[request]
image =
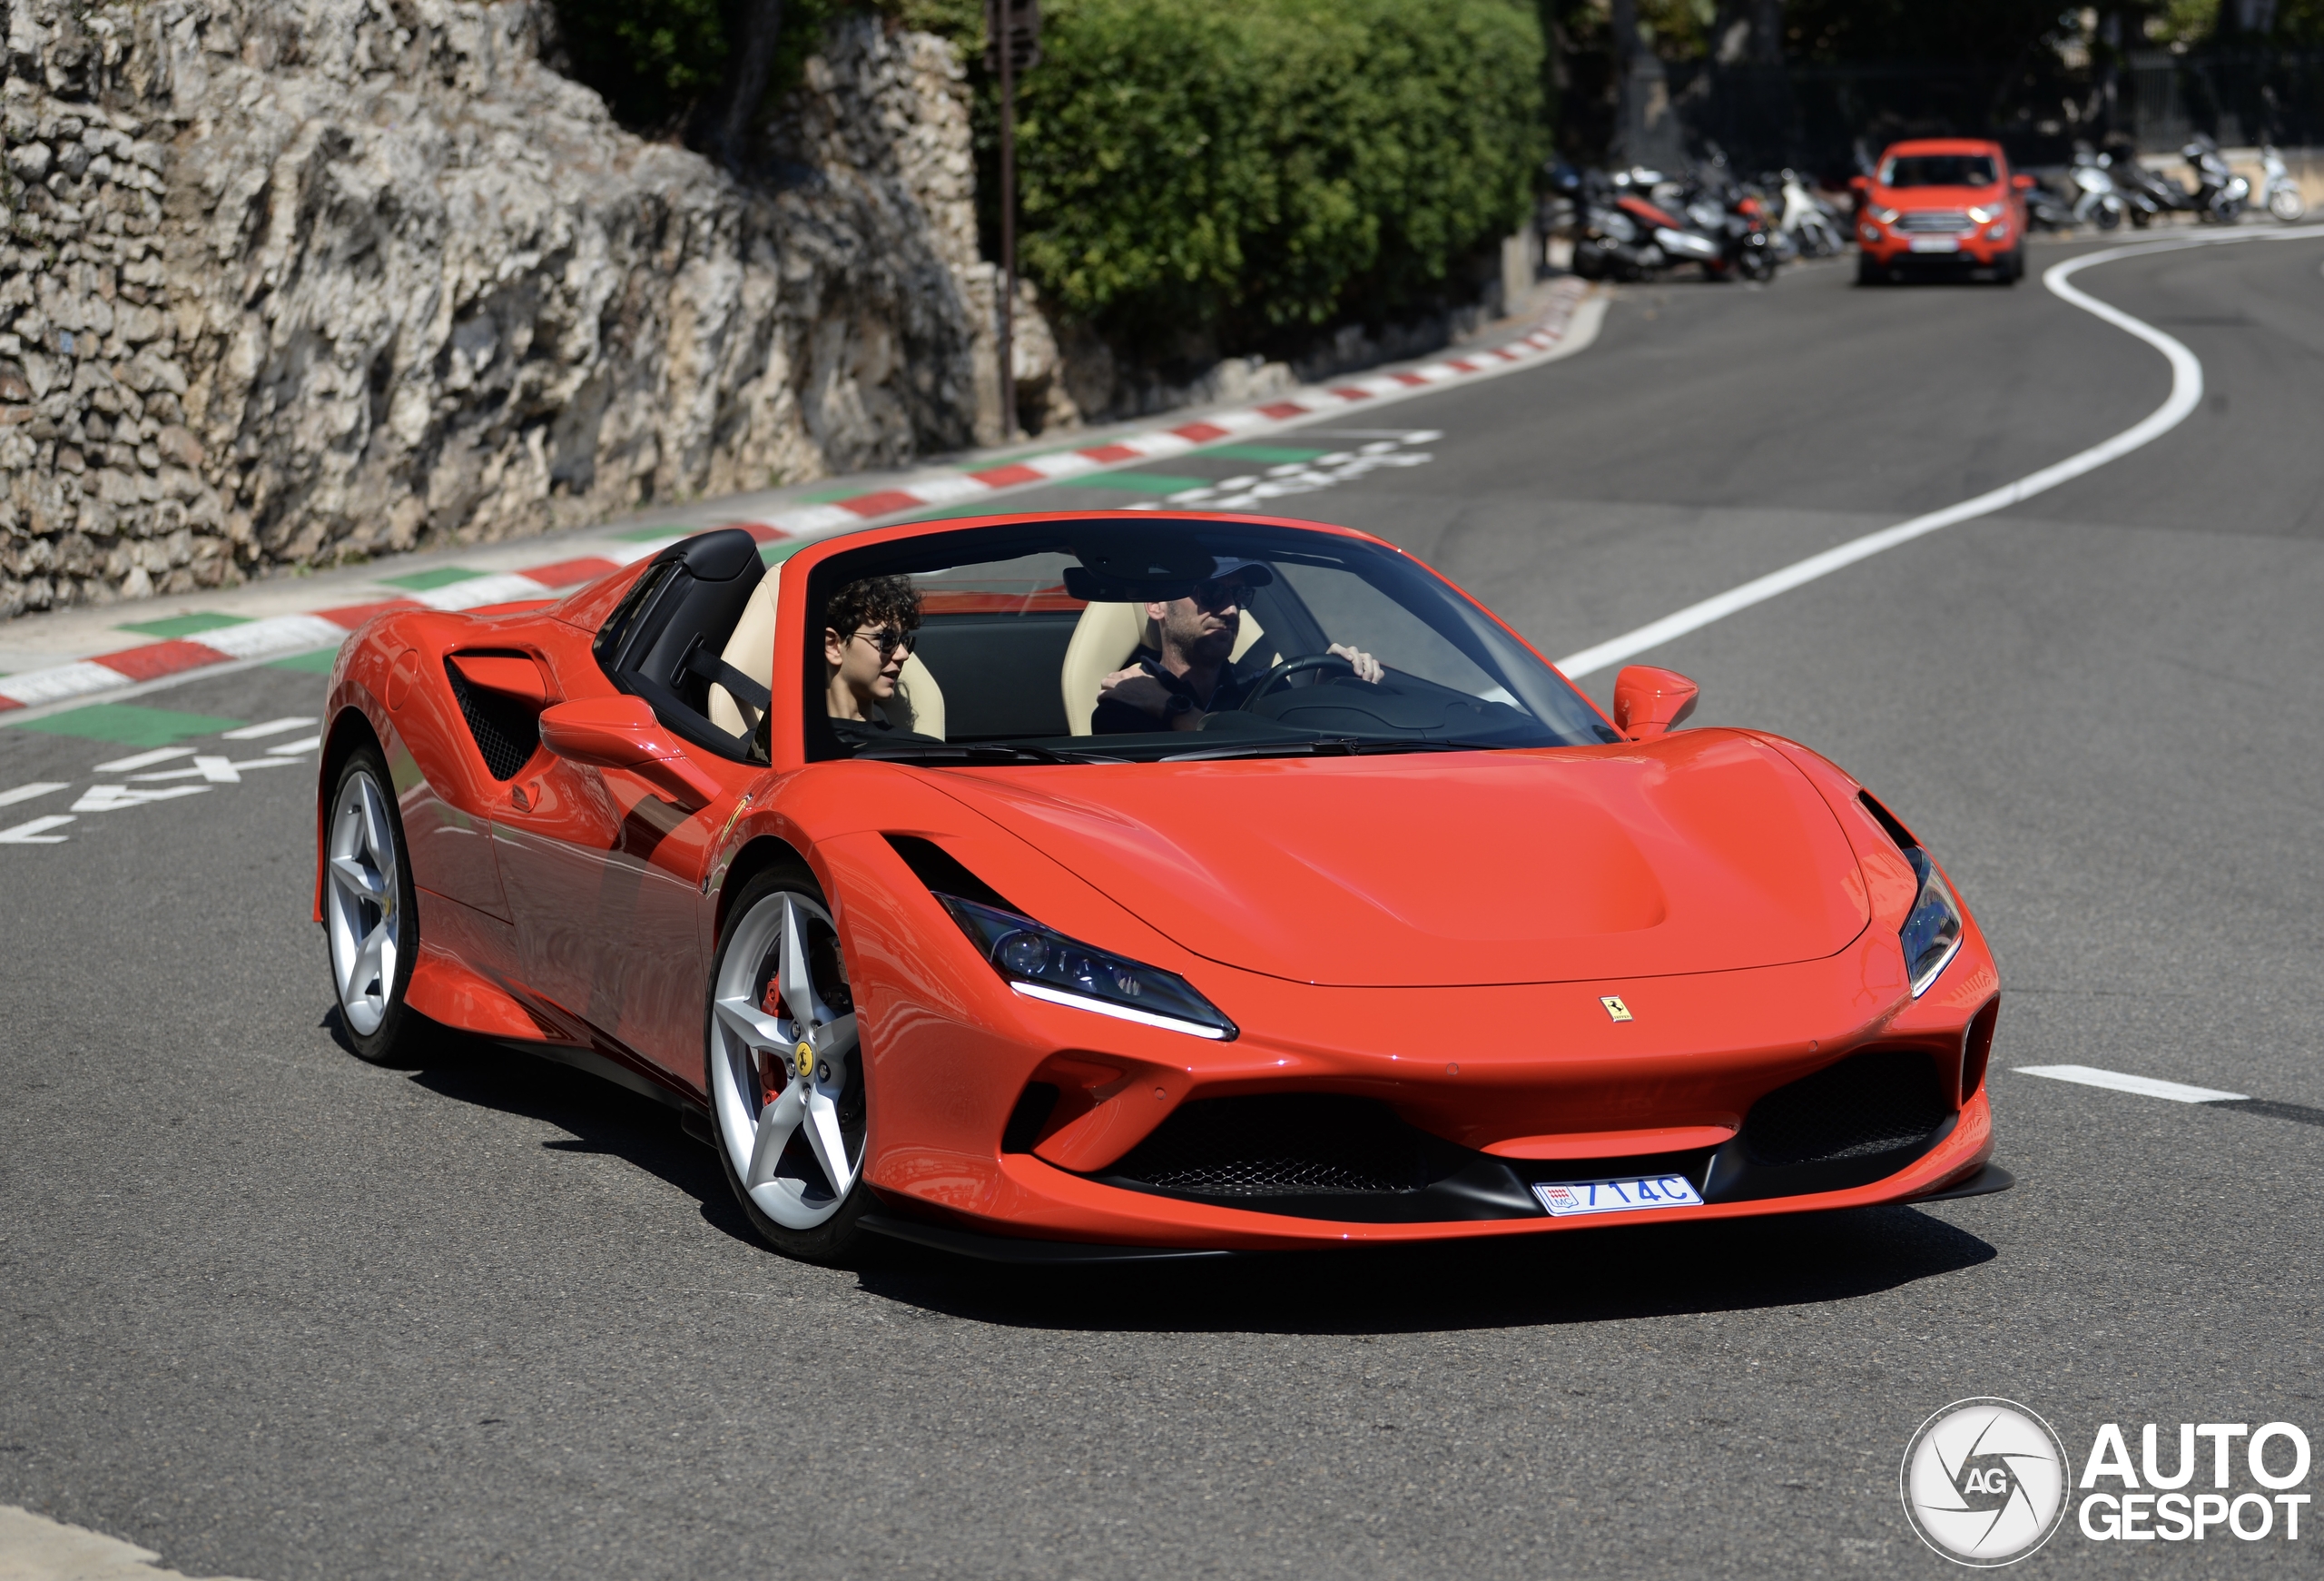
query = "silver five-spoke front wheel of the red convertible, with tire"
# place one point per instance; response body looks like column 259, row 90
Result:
column 789, row 1099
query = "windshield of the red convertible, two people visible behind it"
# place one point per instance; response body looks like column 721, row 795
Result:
column 1168, row 641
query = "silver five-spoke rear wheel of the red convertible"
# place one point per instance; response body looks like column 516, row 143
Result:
column 371, row 910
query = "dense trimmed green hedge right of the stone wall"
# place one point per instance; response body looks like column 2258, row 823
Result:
column 1261, row 166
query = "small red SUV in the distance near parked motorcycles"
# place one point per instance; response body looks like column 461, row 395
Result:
column 1942, row 201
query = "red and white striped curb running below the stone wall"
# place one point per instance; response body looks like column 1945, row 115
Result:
column 322, row 629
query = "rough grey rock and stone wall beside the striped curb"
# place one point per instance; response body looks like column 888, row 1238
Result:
column 292, row 282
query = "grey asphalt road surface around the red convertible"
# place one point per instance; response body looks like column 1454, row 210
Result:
column 280, row 1315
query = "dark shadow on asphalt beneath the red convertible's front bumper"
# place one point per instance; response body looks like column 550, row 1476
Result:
column 1600, row 1275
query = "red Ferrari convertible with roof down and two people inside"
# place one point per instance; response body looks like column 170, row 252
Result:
column 1142, row 885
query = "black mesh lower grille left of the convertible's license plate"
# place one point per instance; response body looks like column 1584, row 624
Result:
column 1279, row 1147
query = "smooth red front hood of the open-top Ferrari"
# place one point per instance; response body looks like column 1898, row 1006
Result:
column 1702, row 852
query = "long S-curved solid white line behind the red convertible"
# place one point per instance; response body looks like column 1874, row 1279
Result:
column 2186, row 394
